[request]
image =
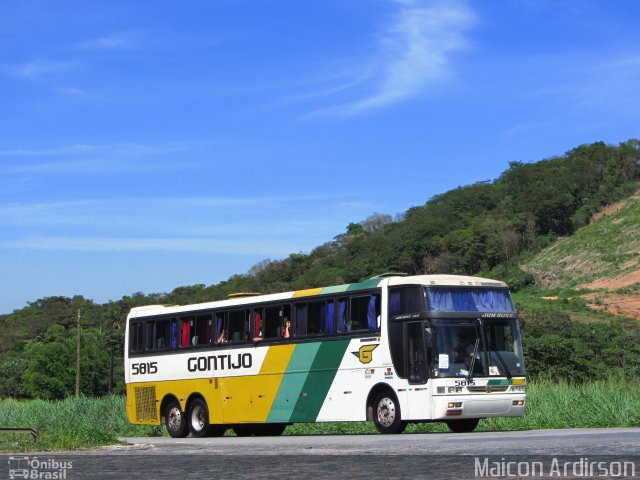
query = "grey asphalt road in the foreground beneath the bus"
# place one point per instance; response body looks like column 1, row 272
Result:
column 574, row 453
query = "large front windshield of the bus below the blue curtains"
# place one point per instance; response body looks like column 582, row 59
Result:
column 489, row 347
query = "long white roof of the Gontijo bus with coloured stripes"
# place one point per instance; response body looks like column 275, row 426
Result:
column 373, row 282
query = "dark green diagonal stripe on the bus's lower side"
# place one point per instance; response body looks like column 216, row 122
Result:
column 321, row 375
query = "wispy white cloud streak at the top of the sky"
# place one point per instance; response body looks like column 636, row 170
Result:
column 414, row 54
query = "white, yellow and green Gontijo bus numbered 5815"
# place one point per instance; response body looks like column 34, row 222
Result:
column 392, row 349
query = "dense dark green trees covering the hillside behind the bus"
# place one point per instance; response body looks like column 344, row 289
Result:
column 488, row 228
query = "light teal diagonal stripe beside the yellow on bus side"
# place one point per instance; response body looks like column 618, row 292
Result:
column 293, row 381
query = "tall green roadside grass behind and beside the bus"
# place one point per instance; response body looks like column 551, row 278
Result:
column 76, row 423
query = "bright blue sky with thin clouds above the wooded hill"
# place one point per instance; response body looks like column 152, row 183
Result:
column 148, row 145
